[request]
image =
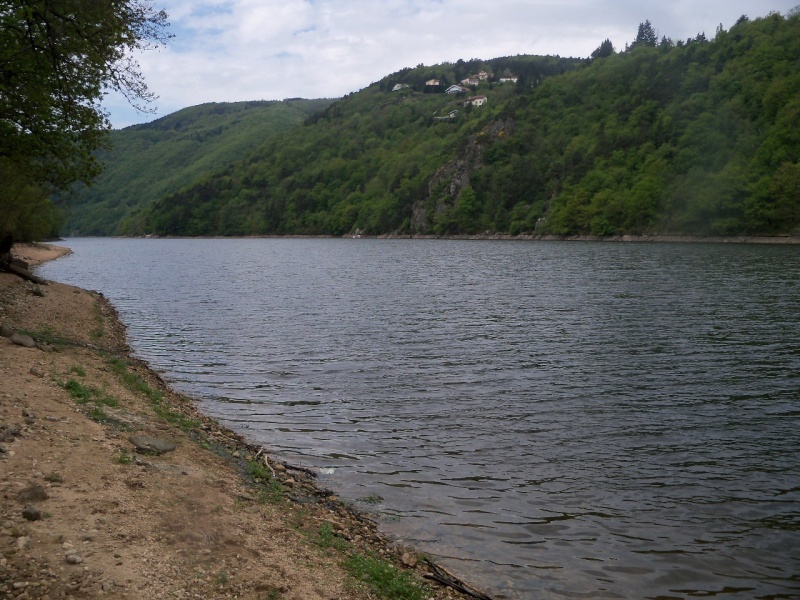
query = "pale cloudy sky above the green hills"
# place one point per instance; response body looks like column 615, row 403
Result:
column 231, row 50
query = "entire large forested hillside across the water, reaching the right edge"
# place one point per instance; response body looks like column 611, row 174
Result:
column 698, row 136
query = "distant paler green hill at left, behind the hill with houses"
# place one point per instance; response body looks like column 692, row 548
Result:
column 150, row 161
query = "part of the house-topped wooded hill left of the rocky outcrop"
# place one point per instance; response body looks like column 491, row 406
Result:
column 360, row 163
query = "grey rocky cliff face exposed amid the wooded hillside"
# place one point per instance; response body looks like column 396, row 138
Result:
column 453, row 176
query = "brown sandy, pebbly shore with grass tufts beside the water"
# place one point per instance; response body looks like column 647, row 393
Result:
column 91, row 510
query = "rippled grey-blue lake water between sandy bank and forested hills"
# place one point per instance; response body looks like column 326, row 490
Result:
column 553, row 419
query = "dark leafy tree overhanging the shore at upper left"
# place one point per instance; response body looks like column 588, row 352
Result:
column 57, row 59
